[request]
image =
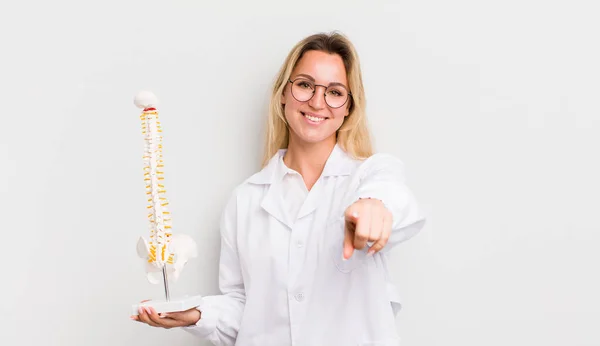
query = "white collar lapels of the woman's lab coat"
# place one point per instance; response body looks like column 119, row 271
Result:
column 338, row 163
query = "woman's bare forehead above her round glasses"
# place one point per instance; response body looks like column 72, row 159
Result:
column 325, row 68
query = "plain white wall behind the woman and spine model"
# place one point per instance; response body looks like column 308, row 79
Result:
column 492, row 105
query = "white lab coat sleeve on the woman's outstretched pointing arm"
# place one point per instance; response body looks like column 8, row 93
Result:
column 382, row 177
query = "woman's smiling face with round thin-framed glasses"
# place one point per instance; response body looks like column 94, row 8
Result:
column 315, row 120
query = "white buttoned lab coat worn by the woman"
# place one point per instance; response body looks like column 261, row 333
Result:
column 283, row 279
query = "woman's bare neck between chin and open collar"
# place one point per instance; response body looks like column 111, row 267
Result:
column 309, row 159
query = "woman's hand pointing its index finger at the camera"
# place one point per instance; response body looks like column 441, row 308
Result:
column 367, row 220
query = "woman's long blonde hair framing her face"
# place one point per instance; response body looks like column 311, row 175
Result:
column 353, row 136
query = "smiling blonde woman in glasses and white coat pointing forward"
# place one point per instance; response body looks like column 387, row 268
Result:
column 304, row 242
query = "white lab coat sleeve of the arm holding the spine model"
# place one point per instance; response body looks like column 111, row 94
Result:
column 221, row 314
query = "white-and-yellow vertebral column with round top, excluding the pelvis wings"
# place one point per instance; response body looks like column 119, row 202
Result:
column 158, row 213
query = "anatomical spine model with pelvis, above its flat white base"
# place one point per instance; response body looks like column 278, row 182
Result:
column 165, row 253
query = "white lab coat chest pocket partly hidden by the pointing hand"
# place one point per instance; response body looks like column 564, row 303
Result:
column 336, row 230
